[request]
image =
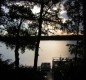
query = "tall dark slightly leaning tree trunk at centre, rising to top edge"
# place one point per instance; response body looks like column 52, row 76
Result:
column 38, row 38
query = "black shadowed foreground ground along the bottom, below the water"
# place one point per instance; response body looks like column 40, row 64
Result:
column 29, row 74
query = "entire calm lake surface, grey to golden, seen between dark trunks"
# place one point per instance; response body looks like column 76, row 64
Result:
column 48, row 50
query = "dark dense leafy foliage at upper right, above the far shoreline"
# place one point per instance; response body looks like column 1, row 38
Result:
column 75, row 14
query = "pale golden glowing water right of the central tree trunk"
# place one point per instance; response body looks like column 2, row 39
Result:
column 50, row 49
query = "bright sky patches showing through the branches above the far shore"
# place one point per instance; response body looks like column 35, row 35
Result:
column 36, row 9
